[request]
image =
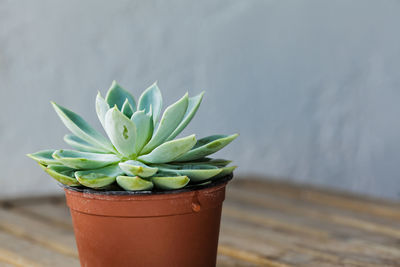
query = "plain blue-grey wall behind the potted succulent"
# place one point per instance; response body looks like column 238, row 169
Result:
column 313, row 87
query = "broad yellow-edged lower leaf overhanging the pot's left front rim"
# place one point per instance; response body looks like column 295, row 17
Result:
column 100, row 177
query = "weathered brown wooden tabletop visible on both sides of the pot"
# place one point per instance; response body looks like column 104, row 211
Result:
column 265, row 223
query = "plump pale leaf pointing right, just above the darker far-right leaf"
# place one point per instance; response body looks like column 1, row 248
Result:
column 170, row 150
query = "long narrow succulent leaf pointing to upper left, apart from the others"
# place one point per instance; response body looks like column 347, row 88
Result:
column 78, row 126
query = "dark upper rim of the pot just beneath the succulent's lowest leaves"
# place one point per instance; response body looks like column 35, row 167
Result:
column 153, row 192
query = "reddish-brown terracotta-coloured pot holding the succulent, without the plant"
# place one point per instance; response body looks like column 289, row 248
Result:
column 119, row 228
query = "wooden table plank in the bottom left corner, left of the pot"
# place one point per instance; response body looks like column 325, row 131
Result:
column 19, row 252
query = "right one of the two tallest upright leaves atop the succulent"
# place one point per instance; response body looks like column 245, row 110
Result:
column 151, row 100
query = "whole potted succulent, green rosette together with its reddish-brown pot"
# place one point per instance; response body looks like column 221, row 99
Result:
column 141, row 197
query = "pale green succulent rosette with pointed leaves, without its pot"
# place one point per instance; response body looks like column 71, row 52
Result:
column 141, row 152
